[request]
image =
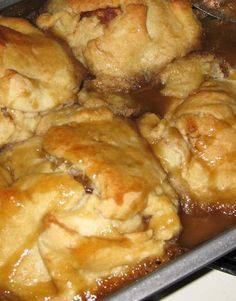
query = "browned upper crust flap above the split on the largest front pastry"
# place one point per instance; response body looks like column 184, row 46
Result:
column 95, row 147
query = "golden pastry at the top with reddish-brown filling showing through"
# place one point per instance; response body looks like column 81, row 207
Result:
column 124, row 44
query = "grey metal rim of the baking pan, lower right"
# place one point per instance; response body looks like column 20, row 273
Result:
column 150, row 286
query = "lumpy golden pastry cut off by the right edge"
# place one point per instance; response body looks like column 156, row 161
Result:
column 196, row 145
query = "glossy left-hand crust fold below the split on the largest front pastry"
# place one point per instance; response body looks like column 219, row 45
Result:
column 23, row 207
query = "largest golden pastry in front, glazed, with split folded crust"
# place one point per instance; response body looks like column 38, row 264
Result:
column 104, row 208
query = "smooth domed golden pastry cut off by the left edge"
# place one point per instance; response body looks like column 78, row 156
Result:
column 36, row 75
